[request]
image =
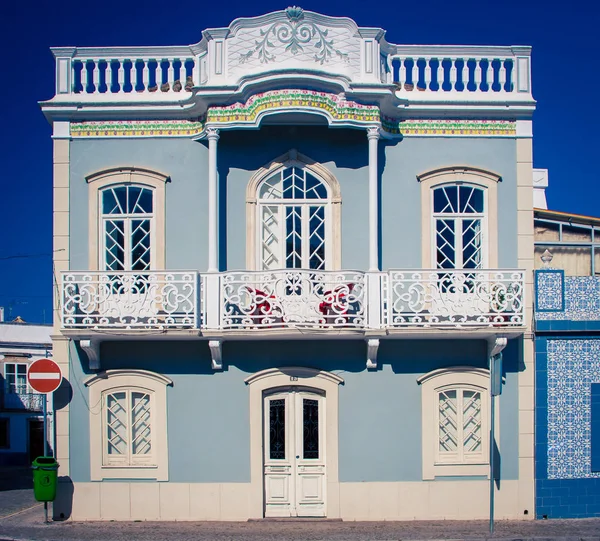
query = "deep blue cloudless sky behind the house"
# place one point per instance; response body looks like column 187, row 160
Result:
column 565, row 75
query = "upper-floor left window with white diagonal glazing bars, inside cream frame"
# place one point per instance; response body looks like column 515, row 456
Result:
column 127, row 224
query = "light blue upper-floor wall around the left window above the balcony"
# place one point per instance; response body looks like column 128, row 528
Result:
column 184, row 161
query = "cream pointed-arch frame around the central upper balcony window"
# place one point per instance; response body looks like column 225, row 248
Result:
column 293, row 159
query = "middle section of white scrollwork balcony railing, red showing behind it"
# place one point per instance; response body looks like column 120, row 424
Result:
column 293, row 298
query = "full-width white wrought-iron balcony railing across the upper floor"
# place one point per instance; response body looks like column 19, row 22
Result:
column 307, row 301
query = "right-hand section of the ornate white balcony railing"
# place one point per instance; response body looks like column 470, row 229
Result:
column 456, row 298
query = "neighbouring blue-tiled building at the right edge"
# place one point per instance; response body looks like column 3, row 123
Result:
column 567, row 327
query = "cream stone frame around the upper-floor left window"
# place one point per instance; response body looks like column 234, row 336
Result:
column 126, row 176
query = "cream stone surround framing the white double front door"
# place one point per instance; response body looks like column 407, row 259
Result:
column 273, row 378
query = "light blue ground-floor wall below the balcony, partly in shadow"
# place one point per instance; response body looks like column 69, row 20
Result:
column 379, row 412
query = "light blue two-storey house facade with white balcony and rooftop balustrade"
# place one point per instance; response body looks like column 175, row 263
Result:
column 287, row 254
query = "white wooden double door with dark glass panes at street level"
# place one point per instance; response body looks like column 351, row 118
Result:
column 294, row 458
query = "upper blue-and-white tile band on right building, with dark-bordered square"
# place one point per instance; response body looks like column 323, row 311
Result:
column 558, row 297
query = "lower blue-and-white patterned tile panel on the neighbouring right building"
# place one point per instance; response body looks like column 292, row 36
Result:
column 573, row 365
